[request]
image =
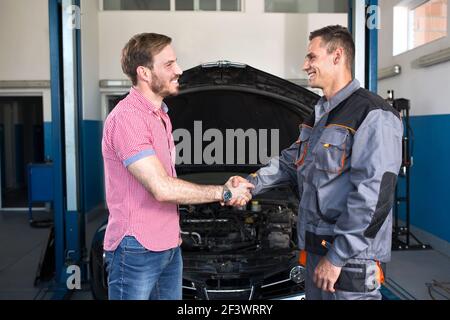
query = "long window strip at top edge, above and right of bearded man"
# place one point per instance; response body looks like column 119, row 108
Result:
column 180, row 5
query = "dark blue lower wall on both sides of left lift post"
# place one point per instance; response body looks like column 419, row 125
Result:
column 93, row 187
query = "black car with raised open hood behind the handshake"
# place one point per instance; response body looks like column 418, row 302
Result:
column 230, row 119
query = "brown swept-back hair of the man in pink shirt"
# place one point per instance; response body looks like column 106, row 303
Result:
column 140, row 50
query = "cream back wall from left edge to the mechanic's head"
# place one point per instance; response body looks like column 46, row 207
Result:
column 273, row 42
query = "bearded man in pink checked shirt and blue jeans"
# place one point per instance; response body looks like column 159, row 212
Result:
column 142, row 240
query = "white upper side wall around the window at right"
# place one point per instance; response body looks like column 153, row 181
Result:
column 427, row 88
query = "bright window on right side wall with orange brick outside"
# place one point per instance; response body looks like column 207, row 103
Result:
column 418, row 23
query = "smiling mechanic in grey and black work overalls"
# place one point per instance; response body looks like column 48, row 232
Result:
column 345, row 165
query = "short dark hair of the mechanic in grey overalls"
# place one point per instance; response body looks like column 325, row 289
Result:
column 334, row 37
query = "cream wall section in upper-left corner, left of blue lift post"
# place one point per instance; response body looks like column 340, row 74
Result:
column 24, row 38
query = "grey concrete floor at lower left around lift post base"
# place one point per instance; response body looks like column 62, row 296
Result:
column 21, row 248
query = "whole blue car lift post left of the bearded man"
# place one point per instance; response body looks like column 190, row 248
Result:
column 65, row 67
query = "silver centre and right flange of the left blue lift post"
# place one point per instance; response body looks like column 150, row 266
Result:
column 75, row 243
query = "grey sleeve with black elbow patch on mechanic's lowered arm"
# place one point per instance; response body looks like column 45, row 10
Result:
column 375, row 163
